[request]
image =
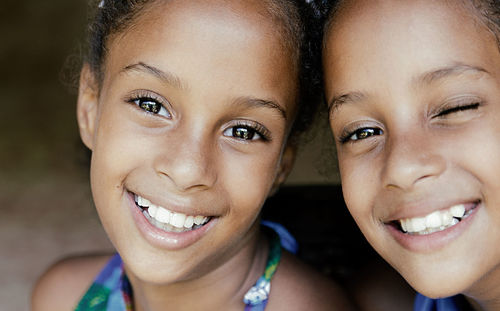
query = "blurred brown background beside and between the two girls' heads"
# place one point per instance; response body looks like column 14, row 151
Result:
column 46, row 205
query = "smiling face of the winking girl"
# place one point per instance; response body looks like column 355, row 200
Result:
column 414, row 89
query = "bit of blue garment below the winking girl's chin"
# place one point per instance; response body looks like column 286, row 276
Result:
column 454, row 303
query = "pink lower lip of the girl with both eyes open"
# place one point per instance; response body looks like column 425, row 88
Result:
column 163, row 239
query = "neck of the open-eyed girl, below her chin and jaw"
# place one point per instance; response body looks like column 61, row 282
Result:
column 221, row 289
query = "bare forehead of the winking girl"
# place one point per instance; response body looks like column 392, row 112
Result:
column 406, row 38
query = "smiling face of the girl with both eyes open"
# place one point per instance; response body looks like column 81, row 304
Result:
column 190, row 125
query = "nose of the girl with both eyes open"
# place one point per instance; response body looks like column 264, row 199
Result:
column 188, row 163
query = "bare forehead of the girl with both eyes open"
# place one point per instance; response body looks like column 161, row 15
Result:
column 205, row 45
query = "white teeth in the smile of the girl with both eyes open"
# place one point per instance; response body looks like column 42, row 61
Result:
column 167, row 220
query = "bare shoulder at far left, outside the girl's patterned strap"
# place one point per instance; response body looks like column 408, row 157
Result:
column 65, row 282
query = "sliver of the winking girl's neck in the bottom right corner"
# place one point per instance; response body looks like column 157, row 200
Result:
column 485, row 294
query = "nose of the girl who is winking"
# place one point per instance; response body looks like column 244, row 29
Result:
column 411, row 159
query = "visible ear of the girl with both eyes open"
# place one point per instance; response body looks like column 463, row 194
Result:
column 87, row 104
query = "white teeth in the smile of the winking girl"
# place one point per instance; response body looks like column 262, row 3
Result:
column 436, row 221
